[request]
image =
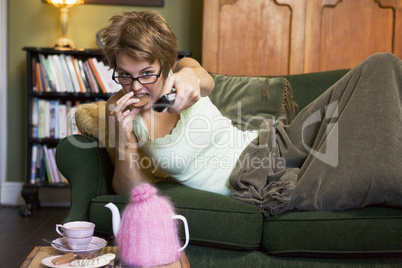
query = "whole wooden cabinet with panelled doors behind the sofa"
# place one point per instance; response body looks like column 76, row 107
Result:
column 277, row 37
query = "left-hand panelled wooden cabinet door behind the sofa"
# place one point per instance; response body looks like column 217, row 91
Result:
column 246, row 37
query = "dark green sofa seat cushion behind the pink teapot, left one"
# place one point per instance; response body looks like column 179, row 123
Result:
column 213, row 219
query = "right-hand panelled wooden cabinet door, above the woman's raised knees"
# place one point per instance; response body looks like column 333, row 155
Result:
column 342, row 33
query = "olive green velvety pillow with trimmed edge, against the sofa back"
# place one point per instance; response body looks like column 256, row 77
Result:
column 248, row 100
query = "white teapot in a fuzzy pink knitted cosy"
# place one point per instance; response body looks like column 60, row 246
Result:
column 147, row 233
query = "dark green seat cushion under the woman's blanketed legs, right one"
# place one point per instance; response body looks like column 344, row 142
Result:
column 368, row 230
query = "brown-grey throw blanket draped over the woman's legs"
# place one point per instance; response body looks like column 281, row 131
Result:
column 343, row 151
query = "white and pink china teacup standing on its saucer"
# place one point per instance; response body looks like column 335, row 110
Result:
column 78, row 234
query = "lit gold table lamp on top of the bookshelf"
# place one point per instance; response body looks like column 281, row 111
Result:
column 64, row 43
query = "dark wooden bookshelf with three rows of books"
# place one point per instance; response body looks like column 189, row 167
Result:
column 56, row 81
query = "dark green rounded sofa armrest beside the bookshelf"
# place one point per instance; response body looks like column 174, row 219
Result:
column 88, row 169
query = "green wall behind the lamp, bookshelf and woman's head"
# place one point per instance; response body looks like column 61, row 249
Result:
column 34, row 23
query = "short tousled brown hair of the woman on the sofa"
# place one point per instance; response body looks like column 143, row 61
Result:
column 144, row 36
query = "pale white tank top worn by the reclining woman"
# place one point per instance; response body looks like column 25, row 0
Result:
column 202, row 149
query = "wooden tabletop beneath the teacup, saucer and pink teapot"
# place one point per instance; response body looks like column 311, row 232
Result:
column 34, row 260
